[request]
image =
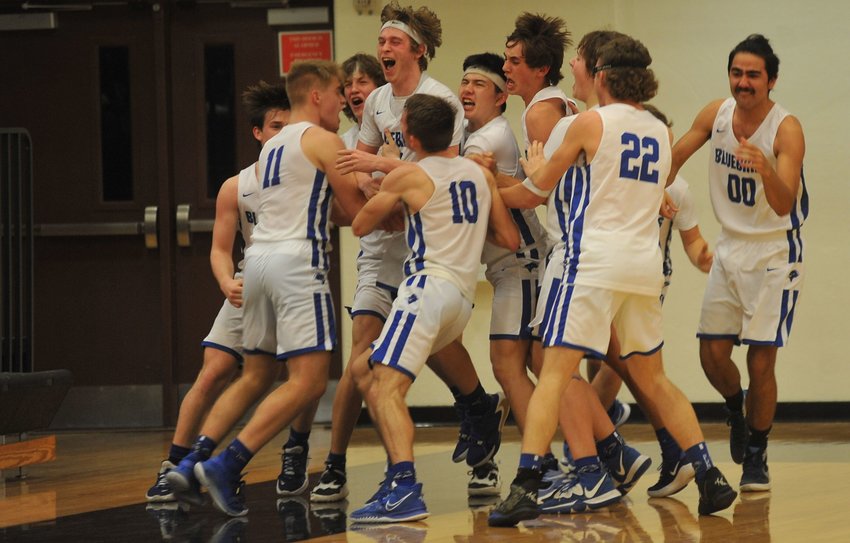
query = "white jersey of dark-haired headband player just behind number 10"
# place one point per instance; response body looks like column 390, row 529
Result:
column 497, row 137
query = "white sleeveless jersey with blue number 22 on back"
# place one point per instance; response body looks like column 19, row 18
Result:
column 612, row 240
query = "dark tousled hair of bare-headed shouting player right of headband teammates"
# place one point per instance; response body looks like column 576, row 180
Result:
column 543, row 40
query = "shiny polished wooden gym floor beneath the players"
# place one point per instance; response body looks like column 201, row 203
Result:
column 94, row 492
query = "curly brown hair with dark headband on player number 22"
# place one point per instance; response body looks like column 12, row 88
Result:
column 625, row 60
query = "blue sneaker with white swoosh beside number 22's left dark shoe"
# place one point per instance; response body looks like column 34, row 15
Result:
column 592, row 488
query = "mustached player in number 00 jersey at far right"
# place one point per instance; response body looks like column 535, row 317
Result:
column 759, row 196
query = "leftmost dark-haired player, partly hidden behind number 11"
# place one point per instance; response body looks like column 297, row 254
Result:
column 236, row 211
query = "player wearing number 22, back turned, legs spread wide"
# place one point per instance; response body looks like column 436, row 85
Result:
column 628, row 154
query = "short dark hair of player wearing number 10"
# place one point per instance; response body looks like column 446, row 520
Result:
column 431, row 120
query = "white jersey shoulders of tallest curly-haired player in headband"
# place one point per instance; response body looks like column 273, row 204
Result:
column 383, row 111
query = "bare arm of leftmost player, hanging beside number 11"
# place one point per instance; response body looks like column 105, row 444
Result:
column 224, row 232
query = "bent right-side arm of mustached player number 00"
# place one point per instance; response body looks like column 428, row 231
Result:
column 782, row 183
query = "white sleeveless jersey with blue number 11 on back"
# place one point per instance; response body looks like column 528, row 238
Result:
column 294, row 196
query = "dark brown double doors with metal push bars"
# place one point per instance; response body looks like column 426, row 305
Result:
column 131, row 107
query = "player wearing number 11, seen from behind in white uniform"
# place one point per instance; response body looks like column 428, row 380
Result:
column 289, row 313
